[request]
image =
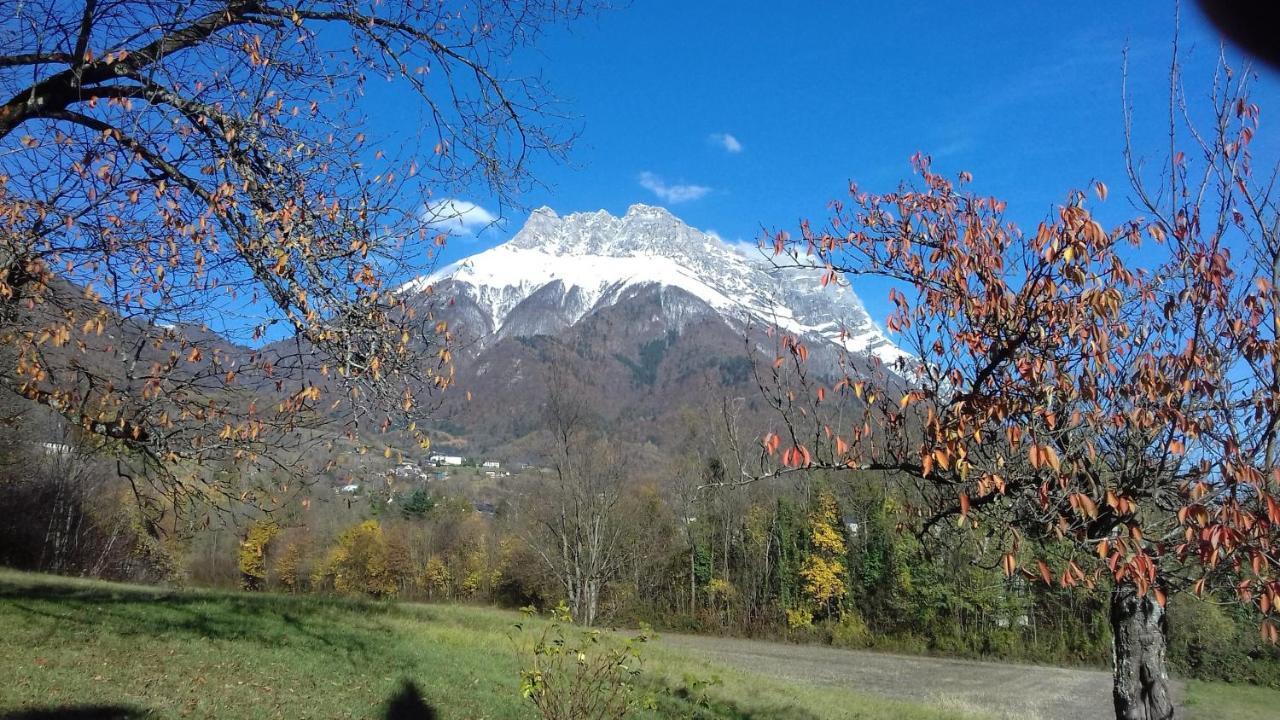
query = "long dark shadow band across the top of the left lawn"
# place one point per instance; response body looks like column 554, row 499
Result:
column 312, row 623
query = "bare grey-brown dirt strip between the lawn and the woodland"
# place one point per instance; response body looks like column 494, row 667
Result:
column 1005, row 692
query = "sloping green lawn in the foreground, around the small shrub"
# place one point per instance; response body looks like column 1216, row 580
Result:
column 194, row 654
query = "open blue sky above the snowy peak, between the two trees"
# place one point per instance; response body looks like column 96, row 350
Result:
column 1023, row 95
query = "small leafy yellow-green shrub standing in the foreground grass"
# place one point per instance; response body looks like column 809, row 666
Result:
column 573, row 675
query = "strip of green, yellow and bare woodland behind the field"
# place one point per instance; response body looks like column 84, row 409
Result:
column 822, row 558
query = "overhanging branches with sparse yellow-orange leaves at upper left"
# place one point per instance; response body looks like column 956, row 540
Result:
column 172, row 166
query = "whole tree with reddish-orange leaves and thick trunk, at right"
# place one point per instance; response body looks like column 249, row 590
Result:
column 1110, row 391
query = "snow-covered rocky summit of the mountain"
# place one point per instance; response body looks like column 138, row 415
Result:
column 583, row 262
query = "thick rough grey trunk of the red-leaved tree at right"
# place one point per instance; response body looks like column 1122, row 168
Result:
column 1140, row 677
